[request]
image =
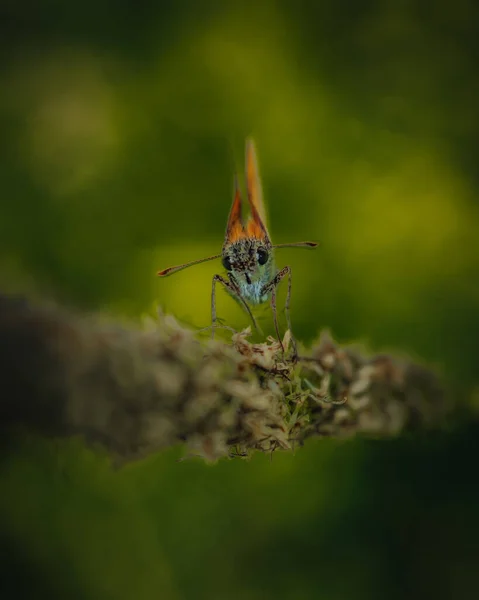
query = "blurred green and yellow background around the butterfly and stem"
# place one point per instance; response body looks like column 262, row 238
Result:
column 122, row 125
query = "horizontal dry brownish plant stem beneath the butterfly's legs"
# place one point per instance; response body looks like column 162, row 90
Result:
column 136, row 391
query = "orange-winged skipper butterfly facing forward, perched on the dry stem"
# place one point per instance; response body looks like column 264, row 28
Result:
column 248, row 254
